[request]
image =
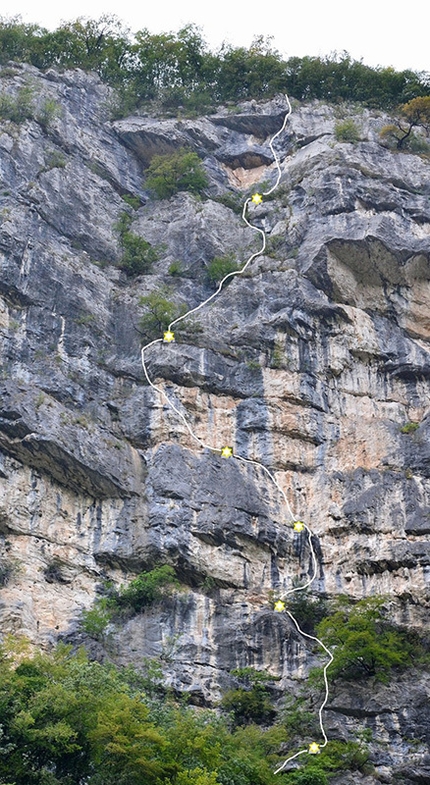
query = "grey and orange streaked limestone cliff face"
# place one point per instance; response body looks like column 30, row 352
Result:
column 311, row 364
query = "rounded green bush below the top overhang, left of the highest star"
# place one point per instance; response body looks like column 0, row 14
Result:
column 180, row 171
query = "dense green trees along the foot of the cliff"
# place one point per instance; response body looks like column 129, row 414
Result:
column 68, row 721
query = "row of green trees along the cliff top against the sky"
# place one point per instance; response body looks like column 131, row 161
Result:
column 179, row 70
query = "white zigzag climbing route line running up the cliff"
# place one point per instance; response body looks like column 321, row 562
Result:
column 227, row 452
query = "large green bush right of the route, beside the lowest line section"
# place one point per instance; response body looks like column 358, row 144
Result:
column 365, row 643
